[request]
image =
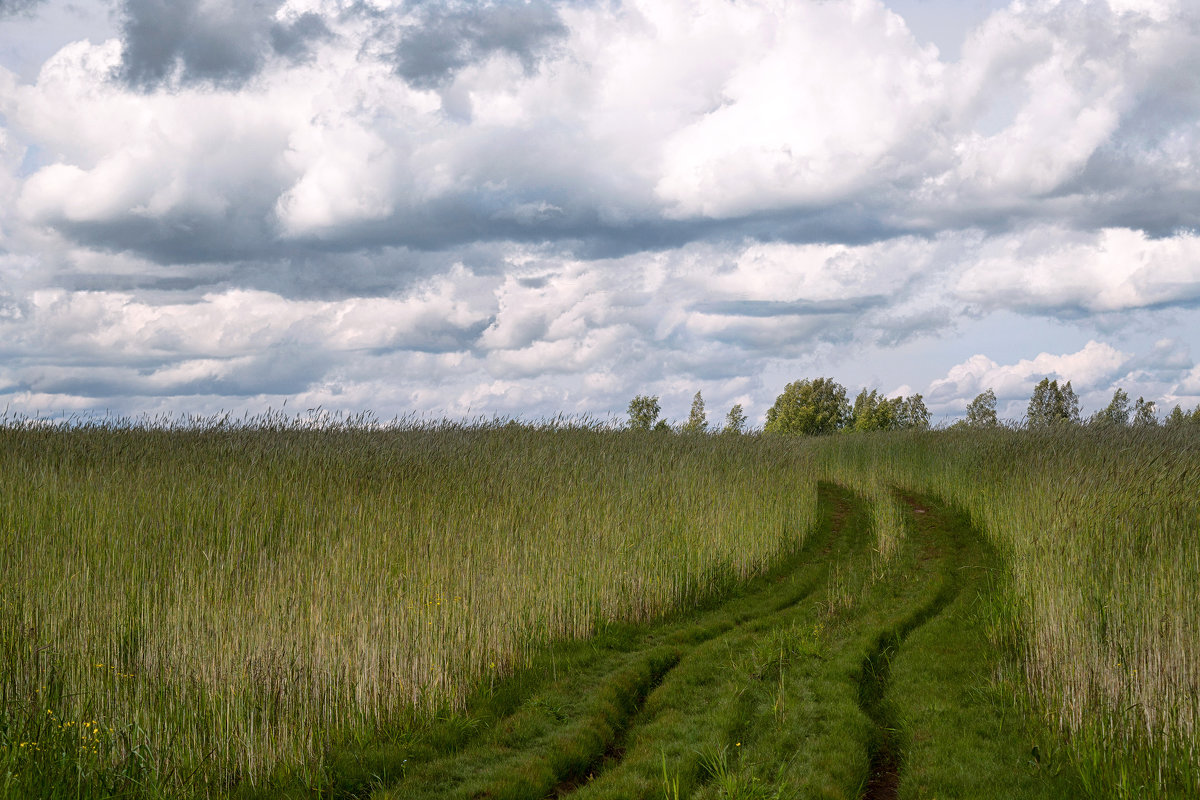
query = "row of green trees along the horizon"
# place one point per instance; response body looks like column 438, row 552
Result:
column 820, row 406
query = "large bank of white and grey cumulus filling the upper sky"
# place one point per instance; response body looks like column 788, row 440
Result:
column 609, row 129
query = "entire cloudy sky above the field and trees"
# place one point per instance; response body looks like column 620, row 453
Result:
column 530, row 208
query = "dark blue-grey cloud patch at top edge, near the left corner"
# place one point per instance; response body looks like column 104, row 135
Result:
column 195, row 44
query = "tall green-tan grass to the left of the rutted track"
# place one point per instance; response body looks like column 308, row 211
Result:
column 226, row 598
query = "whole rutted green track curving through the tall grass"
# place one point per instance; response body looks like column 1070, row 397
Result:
column 832, row 677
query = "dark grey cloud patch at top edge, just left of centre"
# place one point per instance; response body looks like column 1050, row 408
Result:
column 451, row 37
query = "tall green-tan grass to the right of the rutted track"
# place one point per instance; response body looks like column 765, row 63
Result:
column 1101, row 531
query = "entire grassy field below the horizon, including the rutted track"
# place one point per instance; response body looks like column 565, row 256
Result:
column 301, row 609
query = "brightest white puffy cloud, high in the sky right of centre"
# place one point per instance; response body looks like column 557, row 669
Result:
column 777, row 133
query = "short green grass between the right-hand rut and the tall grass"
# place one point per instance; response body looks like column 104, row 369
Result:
column 961, row 731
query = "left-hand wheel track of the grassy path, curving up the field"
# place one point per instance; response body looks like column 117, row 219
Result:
column 587, row 747
